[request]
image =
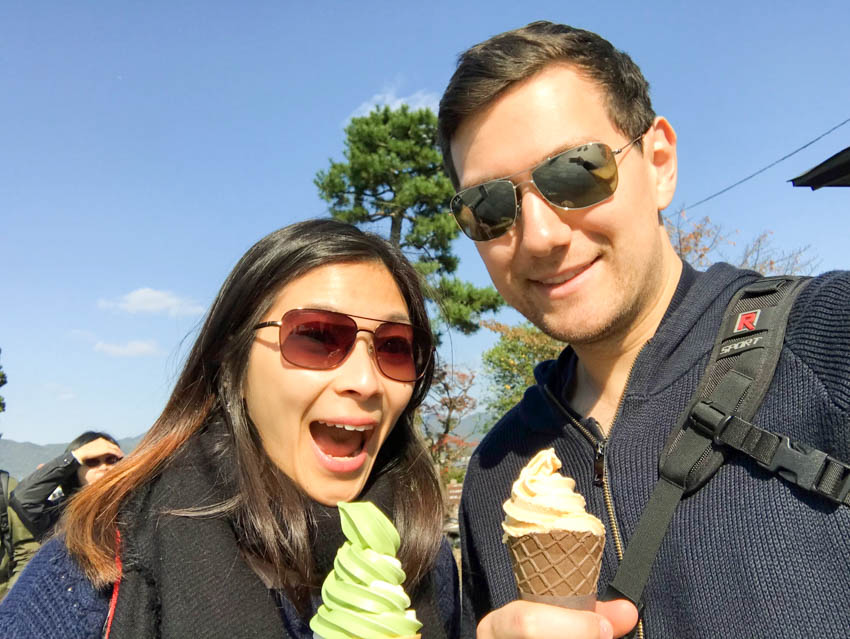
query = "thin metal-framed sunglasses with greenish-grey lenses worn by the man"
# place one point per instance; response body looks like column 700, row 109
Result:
column 573, row 179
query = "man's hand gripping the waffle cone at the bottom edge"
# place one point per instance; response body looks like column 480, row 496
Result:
column 521, row 619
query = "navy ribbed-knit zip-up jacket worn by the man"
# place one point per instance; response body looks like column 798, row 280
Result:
column 748, row 555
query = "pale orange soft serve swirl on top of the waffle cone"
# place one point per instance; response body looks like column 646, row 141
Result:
column 542, row 500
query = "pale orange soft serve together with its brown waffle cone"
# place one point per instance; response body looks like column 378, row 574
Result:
column 555, row 544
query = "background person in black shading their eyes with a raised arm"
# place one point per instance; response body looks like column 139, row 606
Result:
column 40, row 497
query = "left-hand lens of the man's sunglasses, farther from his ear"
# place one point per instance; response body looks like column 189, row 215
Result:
column 486, row 211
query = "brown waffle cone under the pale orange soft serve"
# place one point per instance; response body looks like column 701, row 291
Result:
column 561, row 563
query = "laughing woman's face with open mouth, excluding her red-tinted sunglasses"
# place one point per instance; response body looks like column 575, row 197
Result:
column 324, row 428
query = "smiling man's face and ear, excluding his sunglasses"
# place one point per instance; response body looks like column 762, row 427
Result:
column 579, row 275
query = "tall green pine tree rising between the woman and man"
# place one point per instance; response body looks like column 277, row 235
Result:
column 392, row 173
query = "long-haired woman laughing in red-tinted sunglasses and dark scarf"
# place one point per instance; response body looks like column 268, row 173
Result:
column 299, row 393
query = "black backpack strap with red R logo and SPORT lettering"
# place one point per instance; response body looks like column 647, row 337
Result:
column 733, row 387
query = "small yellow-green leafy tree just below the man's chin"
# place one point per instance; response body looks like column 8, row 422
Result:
column 510, row 363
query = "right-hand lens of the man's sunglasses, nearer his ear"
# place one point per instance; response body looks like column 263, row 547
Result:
column 579, row 177
